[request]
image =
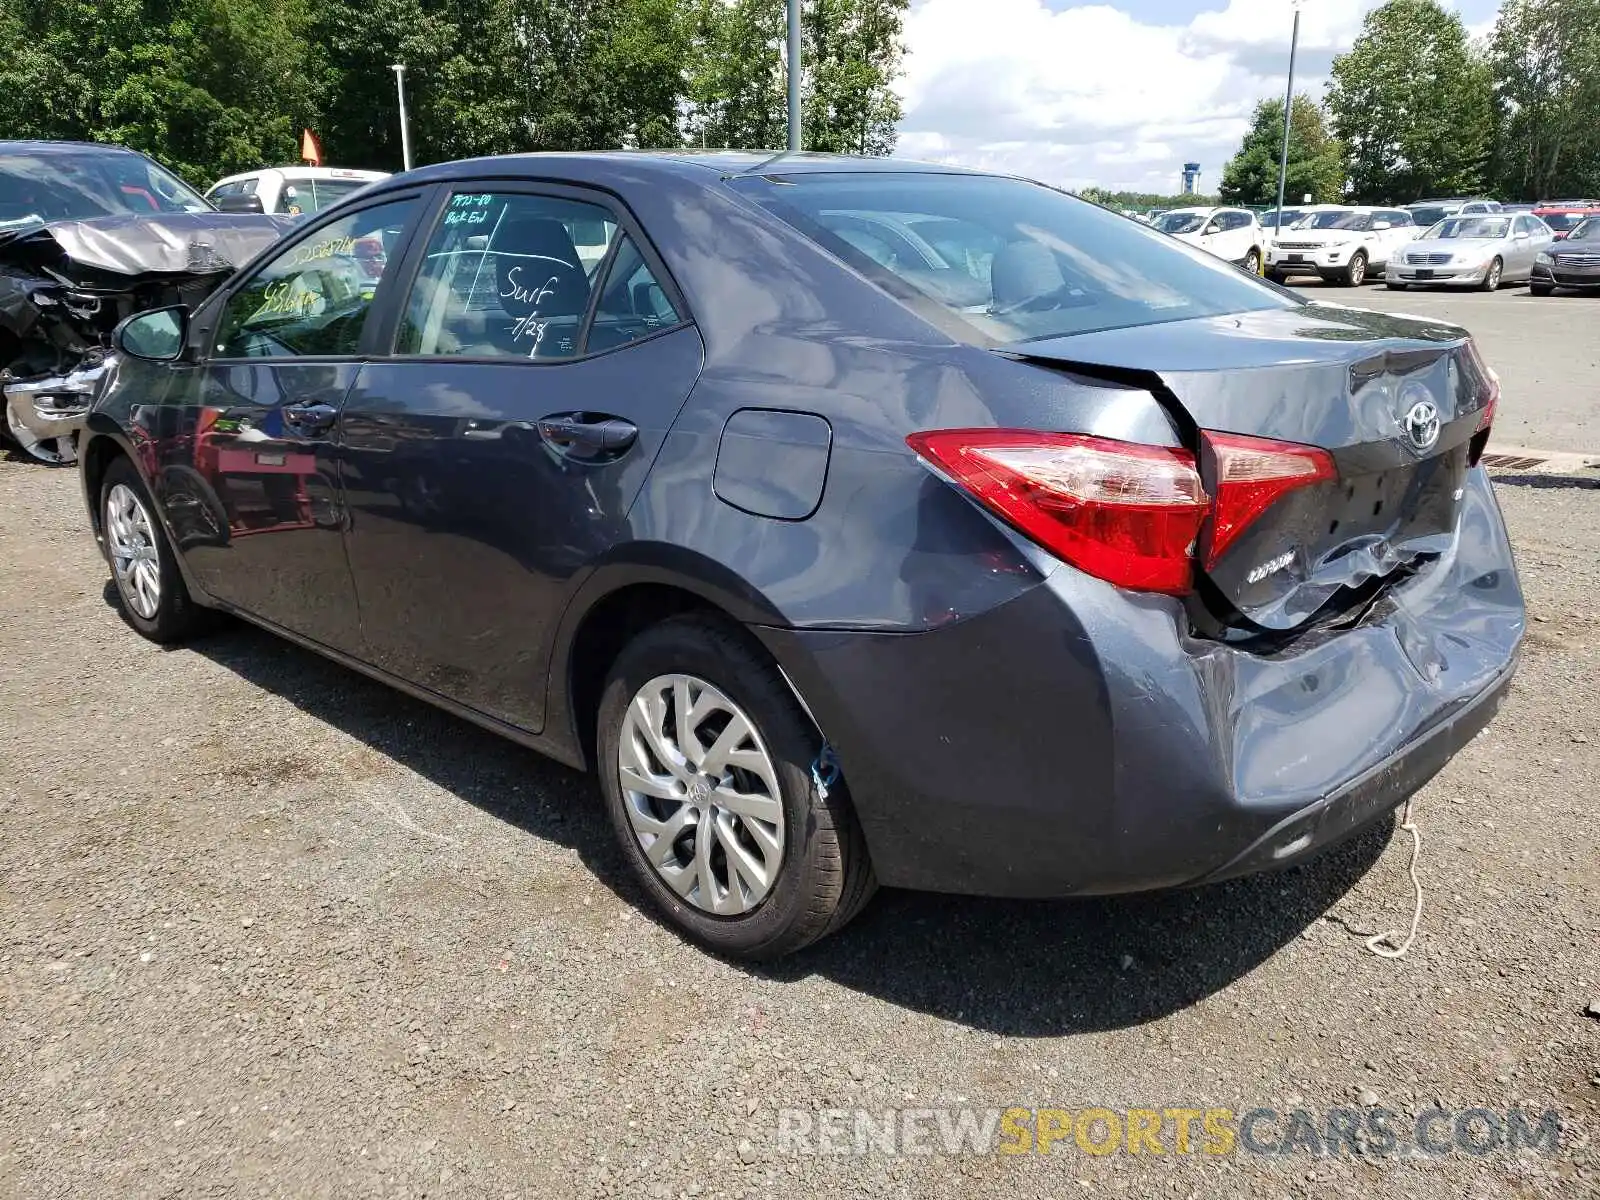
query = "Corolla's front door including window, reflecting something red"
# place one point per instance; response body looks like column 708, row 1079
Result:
column 254, row 492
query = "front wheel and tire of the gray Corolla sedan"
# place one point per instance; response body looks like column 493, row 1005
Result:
column 145, row 569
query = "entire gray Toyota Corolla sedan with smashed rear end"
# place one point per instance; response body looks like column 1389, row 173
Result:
column 858, row 522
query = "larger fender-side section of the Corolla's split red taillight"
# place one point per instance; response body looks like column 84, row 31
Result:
column 1121, row 511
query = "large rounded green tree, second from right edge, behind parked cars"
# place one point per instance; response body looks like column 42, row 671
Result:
column 1412, row 105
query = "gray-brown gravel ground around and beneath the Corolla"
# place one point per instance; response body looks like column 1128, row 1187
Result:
column 268, row 929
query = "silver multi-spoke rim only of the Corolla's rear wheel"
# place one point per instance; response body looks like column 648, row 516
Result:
column 702, row 794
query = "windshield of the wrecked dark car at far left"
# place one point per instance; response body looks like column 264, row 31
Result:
column 57, row 186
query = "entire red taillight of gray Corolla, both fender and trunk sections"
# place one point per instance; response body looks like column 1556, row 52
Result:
column 1121, row 511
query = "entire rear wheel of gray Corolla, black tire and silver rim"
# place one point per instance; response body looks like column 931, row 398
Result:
column 706, row 767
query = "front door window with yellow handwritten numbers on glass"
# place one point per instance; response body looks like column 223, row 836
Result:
column 313, row 298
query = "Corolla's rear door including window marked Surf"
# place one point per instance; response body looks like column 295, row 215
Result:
column 538, row 361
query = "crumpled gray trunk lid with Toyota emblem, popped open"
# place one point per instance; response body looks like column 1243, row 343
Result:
column 1394, row 401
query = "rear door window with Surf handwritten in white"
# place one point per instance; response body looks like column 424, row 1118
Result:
column 506, row 276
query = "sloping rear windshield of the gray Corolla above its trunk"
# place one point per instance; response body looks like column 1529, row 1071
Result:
column 1010, row 258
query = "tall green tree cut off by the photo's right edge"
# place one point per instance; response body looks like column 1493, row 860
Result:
column 1546, row 63
